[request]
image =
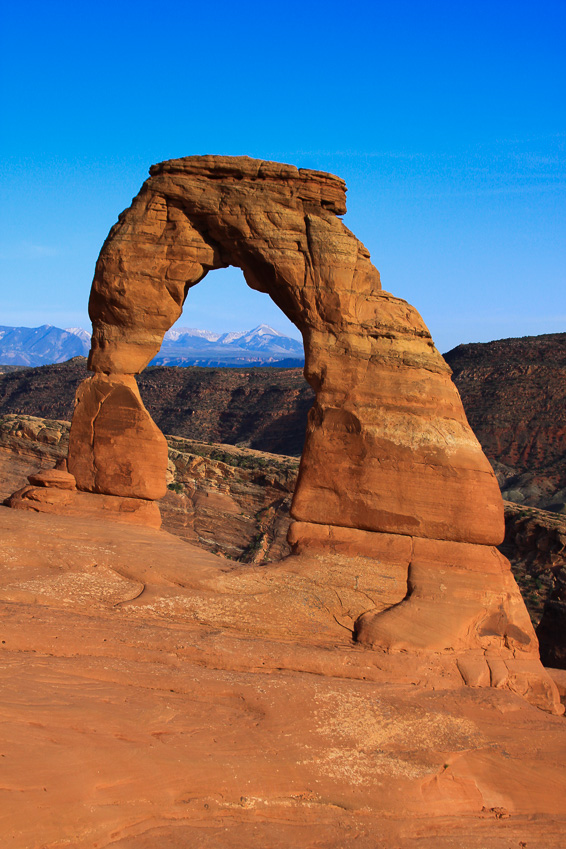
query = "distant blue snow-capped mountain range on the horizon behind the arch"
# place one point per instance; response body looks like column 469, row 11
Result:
column 183, row 346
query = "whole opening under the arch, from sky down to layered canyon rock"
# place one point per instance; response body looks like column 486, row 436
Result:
column 235, row 423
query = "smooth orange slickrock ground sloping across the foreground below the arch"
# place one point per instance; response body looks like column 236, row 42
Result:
column 154, row 695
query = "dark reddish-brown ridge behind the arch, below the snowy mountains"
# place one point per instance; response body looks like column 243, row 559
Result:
column 513, row 392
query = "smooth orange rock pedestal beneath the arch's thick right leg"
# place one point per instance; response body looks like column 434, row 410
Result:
column 461, row 605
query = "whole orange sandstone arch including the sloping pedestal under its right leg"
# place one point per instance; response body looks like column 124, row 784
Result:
column 391, row 470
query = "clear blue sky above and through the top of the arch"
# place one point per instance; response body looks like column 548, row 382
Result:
column 446, row 119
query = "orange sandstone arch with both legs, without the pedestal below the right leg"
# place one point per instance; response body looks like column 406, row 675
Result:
column 388, row 447
